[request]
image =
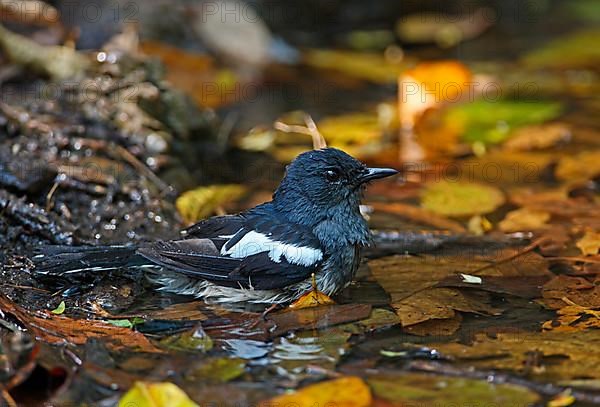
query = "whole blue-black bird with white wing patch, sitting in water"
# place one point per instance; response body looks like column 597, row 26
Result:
column 267, row 254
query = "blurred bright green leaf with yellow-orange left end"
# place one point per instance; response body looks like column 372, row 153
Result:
column 492, row 121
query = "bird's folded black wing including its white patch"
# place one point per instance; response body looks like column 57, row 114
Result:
column 264, row 254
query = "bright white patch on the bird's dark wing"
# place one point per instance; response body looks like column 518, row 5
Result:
column 254, row 243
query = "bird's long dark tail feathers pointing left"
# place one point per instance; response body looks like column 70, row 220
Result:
column 56, row 261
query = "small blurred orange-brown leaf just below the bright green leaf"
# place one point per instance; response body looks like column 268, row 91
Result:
column 538, row 137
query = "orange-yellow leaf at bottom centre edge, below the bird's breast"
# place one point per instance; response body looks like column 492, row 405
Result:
column 347, row 391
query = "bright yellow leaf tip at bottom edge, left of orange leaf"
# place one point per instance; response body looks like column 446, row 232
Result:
column 156, row 395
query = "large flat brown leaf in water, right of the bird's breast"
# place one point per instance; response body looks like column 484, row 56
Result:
column 411, row 282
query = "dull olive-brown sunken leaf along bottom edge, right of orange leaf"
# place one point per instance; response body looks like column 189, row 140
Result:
column 428, row 391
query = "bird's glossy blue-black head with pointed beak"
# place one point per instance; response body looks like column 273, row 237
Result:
column 319, row 180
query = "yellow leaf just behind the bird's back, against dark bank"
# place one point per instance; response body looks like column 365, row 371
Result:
column 204, row 201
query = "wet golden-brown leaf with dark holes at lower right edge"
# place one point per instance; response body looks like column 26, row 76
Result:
column 560, row 355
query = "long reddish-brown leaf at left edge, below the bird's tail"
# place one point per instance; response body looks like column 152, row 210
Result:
column 59, row 329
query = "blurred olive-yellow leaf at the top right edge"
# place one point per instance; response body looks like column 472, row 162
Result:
column 572, row 51
